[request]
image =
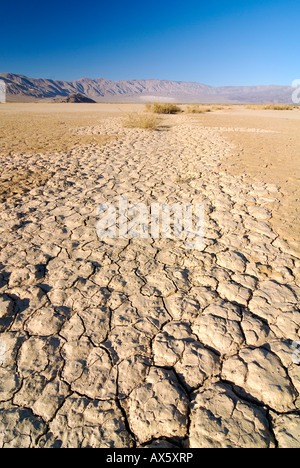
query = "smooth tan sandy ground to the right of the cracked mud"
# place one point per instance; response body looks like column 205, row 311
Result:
column 267, row 149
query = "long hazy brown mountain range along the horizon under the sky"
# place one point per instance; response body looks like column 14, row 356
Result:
column 21, row 88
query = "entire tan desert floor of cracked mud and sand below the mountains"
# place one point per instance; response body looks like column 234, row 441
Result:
column 131, row 342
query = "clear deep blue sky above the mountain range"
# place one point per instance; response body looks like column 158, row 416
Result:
column 216, row 42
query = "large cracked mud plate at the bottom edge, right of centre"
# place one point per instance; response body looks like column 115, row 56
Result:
column 219, row 419
